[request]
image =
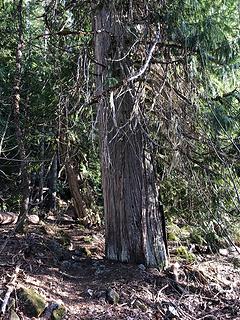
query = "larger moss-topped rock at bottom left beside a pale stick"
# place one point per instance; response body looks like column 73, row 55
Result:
column 31, row 302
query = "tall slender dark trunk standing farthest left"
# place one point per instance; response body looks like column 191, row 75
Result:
column 19, row 134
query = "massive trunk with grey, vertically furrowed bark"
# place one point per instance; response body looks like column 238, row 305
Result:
column 133, row 219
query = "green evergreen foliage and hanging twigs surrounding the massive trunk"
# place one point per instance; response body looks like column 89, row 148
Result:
column 192, row 110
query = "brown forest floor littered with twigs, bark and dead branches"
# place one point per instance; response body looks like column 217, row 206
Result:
column 65, row 263
